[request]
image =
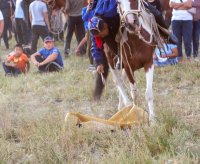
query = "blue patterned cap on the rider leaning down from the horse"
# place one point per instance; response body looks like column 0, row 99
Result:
column 95, row 25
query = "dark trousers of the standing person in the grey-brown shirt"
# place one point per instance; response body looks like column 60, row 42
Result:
column 74, row 24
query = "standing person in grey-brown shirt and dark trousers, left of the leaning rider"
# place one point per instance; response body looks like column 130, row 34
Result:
column 73, row 8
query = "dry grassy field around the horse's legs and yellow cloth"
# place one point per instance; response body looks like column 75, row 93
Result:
column 33, row 108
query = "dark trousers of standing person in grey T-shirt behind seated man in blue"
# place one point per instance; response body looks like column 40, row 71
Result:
column 38, row 31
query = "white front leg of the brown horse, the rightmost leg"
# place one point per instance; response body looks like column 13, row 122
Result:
column 149, row 92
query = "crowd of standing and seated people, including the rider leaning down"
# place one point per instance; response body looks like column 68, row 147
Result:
column 97, row 23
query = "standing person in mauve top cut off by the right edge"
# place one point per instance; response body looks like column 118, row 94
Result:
column 196, row 29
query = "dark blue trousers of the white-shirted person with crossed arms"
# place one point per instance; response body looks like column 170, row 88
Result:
column 183, row 29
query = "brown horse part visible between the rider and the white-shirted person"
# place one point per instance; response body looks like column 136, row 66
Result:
column 167, row 11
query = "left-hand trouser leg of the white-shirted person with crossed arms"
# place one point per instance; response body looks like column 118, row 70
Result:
column 177, row 30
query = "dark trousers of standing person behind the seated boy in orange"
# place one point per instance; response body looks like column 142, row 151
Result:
column 21, row 31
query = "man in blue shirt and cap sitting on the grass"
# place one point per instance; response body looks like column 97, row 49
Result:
column 49, row 58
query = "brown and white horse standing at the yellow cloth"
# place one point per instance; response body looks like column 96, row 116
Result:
column 135, row 52
